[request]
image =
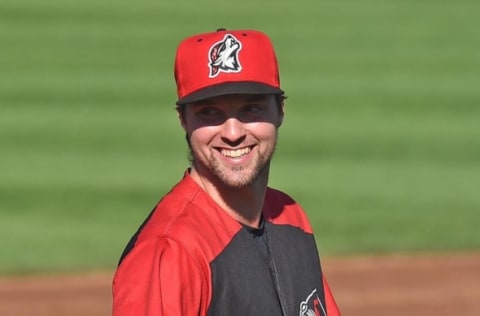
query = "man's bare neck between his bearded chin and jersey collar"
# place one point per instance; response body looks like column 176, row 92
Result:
column 243, row 204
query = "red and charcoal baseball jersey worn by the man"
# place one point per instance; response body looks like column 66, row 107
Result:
column 190, row 257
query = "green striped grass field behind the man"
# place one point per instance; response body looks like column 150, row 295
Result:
column 381, row 143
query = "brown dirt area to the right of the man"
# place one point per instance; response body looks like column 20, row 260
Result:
column 407, row 285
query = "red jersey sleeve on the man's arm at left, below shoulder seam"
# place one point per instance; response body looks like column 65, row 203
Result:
column 159, row 278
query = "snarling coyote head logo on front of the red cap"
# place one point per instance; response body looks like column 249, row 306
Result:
column 223, row 56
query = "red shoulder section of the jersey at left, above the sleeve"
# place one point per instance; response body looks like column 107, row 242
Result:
column 187, row 217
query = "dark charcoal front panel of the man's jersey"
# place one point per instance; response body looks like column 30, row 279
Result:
column 245, row 282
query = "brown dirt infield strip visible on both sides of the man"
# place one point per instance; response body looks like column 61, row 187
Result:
column 381, row 285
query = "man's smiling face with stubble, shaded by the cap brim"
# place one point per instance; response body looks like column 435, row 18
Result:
column 232, row 138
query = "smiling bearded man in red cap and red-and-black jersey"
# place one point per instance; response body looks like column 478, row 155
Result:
column 222, row 242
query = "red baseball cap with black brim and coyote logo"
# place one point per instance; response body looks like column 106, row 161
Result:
column 225, row 62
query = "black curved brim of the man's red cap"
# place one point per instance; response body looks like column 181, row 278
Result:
column 229, row 88
